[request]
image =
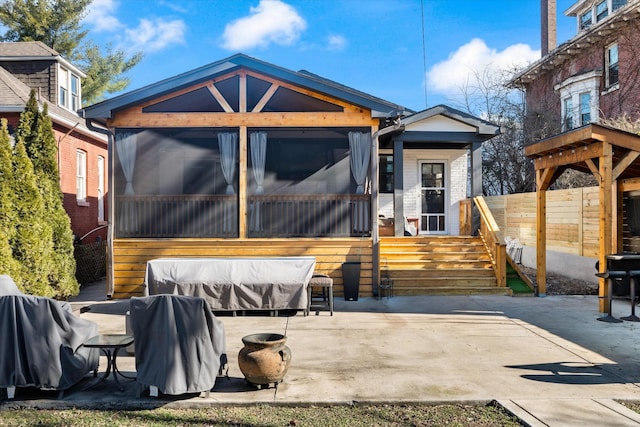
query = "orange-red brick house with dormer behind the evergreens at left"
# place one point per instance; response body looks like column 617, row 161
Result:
column 82, row 153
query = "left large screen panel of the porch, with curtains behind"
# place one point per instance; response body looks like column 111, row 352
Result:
column 185, row 182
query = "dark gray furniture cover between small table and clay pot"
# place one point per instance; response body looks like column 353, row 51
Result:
column 180, row 344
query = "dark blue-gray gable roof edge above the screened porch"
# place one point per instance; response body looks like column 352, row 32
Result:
column 379, row 107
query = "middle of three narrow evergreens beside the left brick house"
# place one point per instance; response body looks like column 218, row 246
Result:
column 32, row 244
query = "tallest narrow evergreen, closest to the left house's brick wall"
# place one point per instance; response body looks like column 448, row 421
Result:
column 36, row 132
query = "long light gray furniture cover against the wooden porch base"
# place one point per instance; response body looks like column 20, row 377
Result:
column 274, row 283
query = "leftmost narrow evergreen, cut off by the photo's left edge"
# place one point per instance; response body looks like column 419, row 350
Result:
column 8, row 265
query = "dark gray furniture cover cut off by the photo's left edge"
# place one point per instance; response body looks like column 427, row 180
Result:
column 41, row 341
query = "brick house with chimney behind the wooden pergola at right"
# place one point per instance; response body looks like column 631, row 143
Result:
column 594, row 75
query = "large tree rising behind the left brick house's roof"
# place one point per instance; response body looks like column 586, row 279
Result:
column 57, row 23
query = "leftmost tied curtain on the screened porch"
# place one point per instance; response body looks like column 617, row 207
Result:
column 126, row 144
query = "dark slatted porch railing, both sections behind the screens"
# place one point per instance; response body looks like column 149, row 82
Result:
column 332, row 215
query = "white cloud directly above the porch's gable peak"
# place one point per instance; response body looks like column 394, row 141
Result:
column 272, row 21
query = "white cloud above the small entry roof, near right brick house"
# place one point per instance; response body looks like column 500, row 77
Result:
column 476, row 57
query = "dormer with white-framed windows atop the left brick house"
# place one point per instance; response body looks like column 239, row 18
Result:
column 43, row 69
